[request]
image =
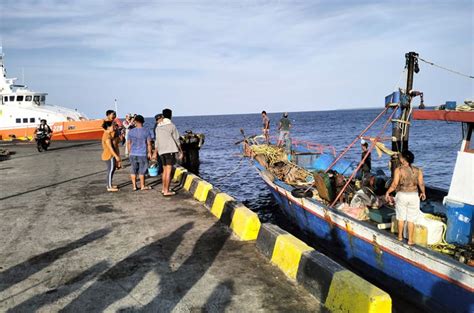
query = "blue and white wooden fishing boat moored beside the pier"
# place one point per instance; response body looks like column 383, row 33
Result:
column 428, row 278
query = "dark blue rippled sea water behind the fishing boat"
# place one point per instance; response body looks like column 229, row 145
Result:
column 434, row 143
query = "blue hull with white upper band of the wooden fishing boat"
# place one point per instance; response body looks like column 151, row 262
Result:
column 424, row 277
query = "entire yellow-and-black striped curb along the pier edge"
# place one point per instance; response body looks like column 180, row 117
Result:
column 338, row 288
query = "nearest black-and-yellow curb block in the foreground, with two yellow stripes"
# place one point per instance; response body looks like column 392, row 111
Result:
column 338, row 288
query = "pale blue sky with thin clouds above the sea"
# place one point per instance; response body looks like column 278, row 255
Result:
column 230, row 57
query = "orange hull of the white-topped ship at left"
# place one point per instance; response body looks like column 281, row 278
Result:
column 73, row 130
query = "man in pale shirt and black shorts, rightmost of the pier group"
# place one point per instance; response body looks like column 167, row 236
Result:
column 167, row 145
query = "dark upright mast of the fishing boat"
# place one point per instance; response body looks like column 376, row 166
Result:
column 401, row 123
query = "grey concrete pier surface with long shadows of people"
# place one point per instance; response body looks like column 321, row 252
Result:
column 68, row 245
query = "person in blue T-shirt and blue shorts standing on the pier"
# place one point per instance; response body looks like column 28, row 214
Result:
column 139, row 147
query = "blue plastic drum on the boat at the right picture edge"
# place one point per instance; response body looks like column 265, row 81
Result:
column 460, row 225
